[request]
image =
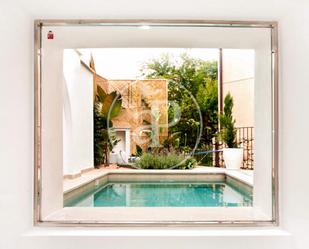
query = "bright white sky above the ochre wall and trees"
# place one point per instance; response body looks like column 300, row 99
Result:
column 125, row 63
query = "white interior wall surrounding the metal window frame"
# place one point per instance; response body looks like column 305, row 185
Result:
column 16, row 118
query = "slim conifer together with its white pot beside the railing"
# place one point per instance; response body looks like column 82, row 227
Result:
column 232, row 155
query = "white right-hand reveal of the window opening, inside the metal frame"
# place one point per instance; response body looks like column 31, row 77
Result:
column 263, row 131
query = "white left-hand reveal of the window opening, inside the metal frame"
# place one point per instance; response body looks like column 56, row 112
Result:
column 52, row 131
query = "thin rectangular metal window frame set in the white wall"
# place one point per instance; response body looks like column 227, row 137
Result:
column 38, row 24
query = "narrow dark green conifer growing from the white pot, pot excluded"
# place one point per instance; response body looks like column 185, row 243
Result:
column 228, row 131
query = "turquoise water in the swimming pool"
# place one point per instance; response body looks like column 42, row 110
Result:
column 158, row 194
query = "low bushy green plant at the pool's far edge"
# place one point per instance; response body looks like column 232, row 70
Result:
column 172, row 161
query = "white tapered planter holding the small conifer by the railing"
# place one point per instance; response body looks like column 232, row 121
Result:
column 233, row 157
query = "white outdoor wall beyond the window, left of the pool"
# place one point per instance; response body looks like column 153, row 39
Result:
column 77, row 114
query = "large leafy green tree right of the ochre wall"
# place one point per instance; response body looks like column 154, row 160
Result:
column 187, row 78
